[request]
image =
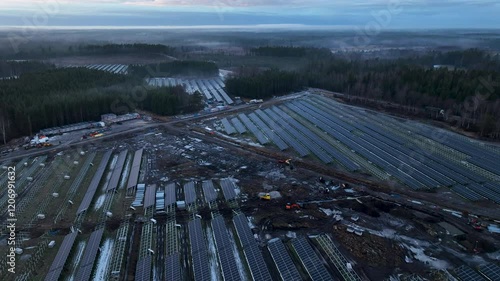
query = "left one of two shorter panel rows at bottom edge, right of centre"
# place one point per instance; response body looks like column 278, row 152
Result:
column 283, row 261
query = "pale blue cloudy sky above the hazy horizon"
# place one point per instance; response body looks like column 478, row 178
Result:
column 388, row 14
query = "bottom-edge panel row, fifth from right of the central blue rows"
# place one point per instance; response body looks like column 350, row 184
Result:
column 199, row 252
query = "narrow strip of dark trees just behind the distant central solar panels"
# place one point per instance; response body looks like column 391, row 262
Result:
column 175, row 68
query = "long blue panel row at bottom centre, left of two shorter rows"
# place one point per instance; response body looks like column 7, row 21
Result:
column 253, row 255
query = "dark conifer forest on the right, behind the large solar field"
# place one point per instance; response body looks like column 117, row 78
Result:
column 469, row 95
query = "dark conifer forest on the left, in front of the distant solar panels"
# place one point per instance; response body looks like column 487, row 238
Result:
column 64, row 96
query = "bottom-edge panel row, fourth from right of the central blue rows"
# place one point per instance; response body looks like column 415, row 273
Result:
column 224, row 250
